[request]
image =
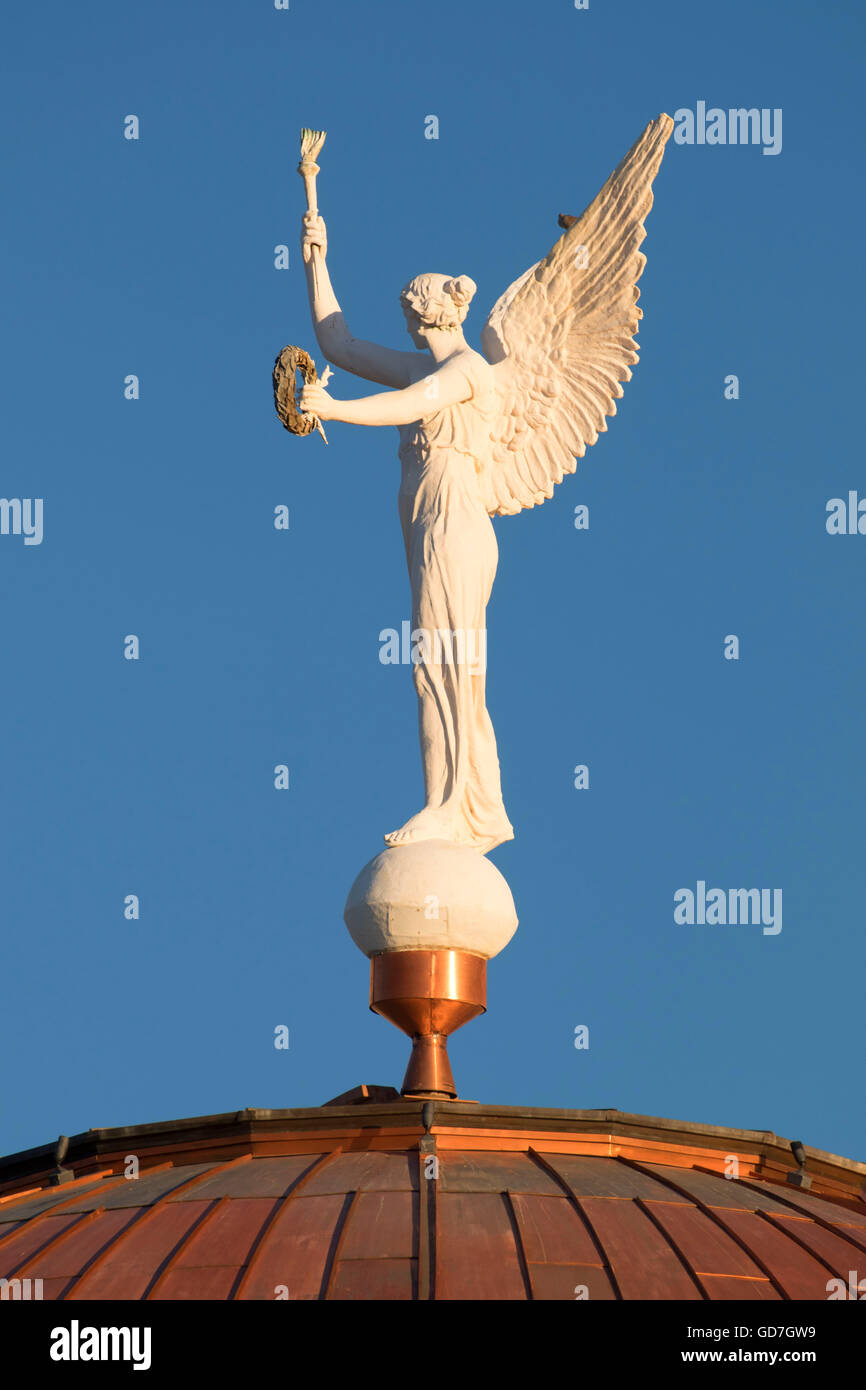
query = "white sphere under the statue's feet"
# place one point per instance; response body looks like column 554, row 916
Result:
column 432, row 896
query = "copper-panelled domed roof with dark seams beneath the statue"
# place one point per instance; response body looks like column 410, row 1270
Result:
column 375, row 1197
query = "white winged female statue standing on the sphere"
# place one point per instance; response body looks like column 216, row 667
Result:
column 486, row 437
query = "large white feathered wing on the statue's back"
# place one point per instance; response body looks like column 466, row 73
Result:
column 561, row 340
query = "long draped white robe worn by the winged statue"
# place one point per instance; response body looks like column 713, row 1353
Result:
column 452, row 554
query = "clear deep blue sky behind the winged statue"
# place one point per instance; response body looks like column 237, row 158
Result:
column 155, row 778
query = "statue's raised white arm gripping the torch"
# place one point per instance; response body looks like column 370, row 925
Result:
column 387, row 366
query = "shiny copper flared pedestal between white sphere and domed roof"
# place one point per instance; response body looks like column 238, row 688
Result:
column 429, row 995
